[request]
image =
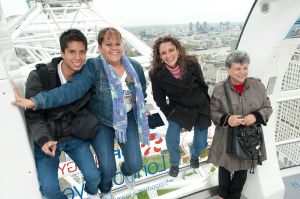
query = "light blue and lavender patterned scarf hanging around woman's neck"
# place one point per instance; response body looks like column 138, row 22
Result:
column 119, row 108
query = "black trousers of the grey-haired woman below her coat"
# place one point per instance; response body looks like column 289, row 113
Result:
column 230, row 187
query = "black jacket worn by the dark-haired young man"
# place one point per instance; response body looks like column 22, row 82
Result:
column 49, row 124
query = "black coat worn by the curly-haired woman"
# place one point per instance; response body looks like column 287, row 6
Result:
column 188, row 99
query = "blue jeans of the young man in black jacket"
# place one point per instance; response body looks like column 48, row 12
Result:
column 47, row 167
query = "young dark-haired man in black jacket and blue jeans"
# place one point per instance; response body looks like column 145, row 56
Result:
column 48, row 129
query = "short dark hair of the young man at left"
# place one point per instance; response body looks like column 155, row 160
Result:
column 71, row 35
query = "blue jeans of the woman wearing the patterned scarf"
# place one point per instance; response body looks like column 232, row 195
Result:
column 103, row 144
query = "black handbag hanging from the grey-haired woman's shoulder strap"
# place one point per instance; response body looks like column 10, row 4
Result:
column 244, row 142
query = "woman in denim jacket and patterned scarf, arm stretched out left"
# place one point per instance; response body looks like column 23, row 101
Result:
column 118, row 101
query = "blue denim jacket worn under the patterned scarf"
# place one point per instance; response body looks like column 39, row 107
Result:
column 92, row 75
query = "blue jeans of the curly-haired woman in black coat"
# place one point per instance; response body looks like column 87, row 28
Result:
column 173, row 139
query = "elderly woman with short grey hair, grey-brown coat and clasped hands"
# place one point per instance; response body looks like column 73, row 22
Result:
column 251, row 105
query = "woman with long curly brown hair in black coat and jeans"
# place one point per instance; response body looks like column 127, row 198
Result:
column 178, row 76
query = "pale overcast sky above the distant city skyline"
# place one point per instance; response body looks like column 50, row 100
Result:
column 149, row 12
